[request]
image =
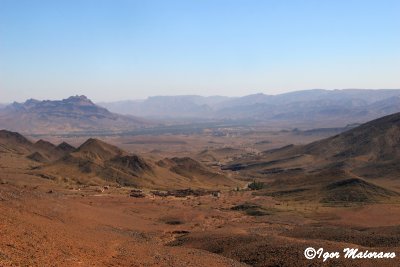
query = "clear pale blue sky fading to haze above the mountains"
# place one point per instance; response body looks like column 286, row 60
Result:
column 114, row 49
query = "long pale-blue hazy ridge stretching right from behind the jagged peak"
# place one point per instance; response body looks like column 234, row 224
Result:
column 309, row 105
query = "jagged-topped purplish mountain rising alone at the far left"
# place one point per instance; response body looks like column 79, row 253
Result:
column 74, row 114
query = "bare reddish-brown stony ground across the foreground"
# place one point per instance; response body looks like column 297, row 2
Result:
column 87, row 228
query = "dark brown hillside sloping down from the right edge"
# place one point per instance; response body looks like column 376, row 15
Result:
column 359, row 164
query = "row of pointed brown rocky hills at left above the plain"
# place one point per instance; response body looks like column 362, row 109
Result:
column 96, row 162
